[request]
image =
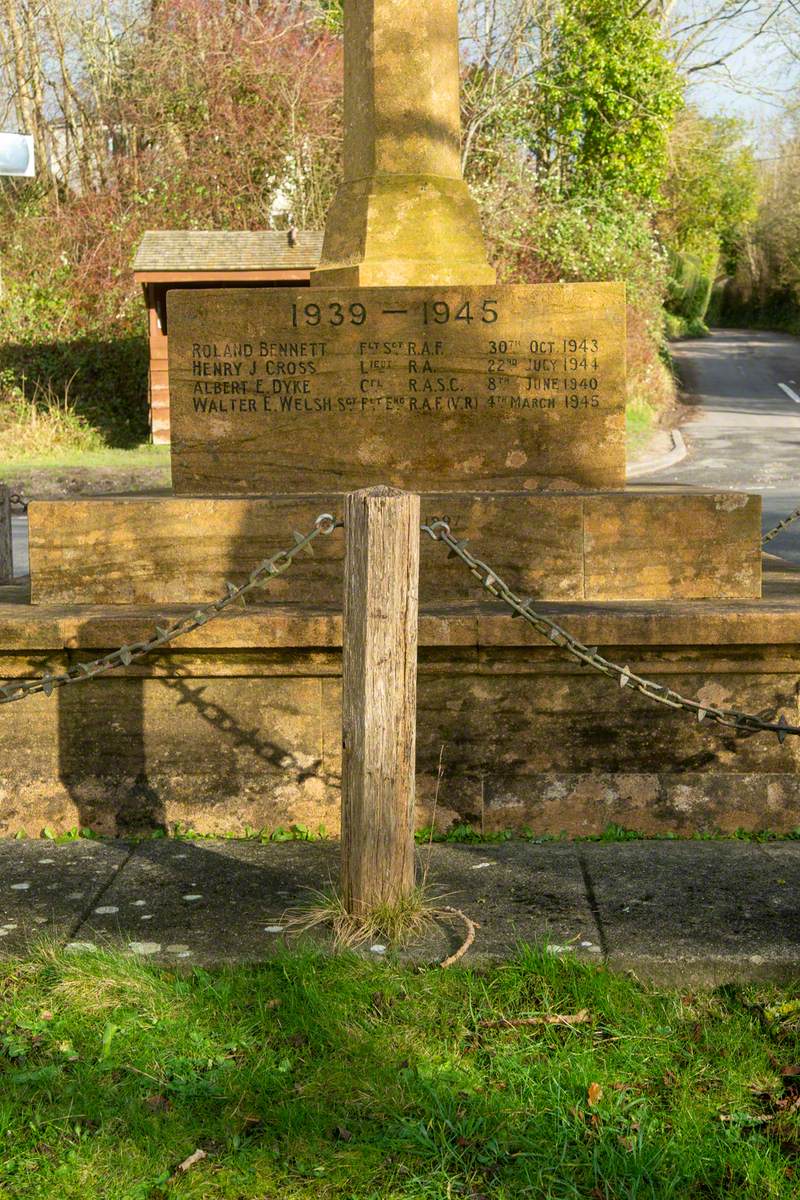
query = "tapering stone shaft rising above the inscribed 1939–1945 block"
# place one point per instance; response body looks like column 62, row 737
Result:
column 404, row 215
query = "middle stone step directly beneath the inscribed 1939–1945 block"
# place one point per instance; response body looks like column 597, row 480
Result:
column 560, row 547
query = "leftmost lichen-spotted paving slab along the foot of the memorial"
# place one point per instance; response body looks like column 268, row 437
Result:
column 46, row 890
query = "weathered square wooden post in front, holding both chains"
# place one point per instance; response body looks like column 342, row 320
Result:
column 382, row 568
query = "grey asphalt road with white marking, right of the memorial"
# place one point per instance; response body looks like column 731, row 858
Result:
column 743, row 427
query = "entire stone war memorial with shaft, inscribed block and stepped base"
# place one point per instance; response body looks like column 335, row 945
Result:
column 405, row 365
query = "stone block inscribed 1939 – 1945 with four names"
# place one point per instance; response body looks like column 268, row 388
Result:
column 429, row 389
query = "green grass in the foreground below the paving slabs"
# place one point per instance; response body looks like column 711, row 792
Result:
column 336, row 1078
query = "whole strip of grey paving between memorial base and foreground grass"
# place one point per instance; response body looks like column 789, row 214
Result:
column 676, row 913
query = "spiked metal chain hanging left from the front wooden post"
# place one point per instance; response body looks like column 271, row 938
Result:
column 278, row 565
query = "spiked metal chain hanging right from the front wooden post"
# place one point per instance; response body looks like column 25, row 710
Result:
column 440, row 530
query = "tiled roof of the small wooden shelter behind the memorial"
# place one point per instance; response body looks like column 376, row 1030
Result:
column 199, row 250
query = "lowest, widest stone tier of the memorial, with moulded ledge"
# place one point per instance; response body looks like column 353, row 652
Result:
column 239, row 724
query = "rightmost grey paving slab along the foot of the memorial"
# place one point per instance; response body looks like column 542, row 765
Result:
column 689, row 914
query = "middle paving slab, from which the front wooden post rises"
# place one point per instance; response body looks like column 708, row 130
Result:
column 221, row 902
